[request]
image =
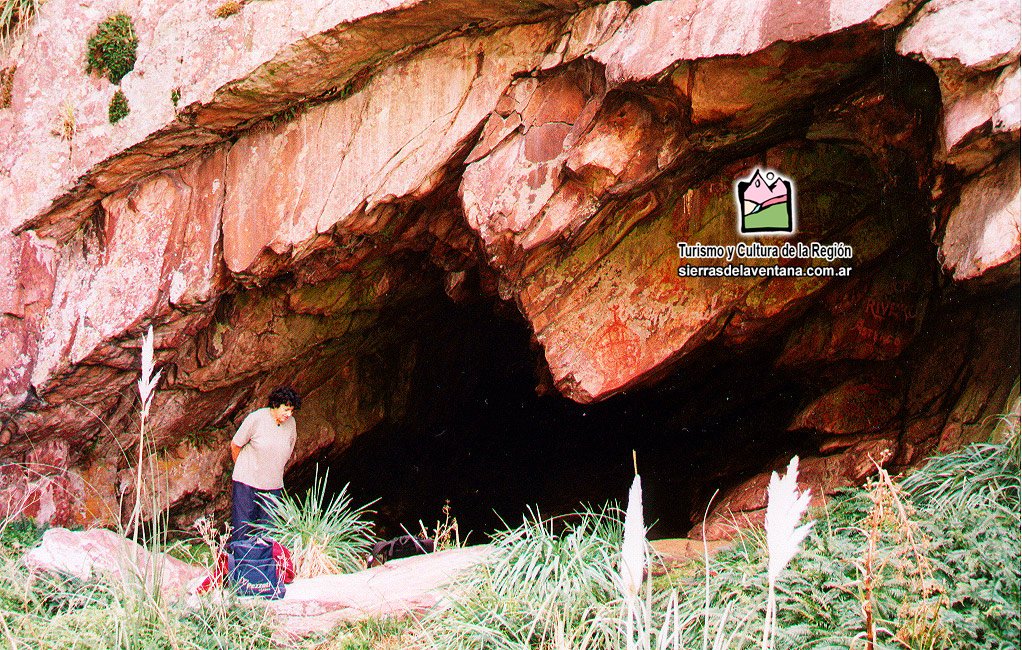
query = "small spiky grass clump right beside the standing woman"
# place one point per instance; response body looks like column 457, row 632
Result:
column 324, row 537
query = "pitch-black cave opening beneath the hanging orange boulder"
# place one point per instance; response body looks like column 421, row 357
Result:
column 479, row 436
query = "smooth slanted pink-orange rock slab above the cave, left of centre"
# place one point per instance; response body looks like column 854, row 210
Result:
column 389, row 143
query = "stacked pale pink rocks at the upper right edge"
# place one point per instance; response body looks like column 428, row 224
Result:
column 974, row 50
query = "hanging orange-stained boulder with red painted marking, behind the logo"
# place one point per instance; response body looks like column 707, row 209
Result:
column 631, row 313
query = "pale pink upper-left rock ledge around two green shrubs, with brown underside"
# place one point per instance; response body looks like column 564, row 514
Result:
column 299, row 53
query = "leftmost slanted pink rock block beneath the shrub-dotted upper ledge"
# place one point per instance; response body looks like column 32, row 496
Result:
column 152, row 247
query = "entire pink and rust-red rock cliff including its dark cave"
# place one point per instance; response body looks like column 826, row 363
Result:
column 409, row 209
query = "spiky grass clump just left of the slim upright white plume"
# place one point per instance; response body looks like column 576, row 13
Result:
column 549, row 583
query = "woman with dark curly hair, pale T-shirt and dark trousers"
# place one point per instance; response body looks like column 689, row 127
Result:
column 261, row 450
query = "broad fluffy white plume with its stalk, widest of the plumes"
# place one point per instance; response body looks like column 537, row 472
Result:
column 785, row 507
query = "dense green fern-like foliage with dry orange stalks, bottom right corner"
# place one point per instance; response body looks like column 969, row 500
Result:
column 928, row 563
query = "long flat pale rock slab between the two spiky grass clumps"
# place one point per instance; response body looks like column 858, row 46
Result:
column 397, row 589
